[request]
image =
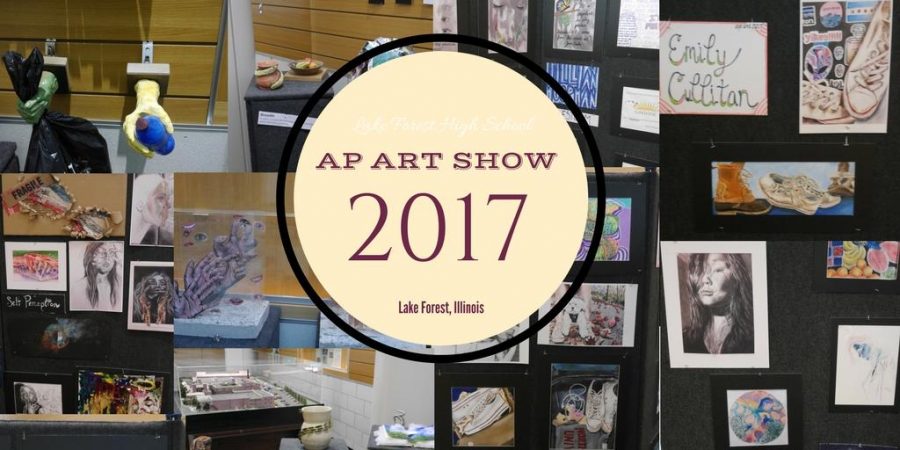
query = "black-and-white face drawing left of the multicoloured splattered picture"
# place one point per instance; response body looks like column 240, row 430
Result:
column 34, row 393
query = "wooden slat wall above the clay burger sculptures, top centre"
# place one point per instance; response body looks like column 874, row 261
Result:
column 334, row 29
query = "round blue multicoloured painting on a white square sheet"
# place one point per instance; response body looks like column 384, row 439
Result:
column 757, row 418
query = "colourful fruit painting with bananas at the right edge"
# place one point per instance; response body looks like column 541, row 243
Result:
column 862, row 260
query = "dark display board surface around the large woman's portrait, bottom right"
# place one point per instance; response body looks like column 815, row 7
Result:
column 801, row 341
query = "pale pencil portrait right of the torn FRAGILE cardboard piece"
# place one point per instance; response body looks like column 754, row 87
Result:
column 152, row 200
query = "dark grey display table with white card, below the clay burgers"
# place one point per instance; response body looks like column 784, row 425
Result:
column 268, row 132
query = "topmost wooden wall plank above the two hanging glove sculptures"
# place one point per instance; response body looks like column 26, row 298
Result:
column 161, row 21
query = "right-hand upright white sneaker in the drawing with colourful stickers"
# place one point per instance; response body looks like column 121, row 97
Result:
column 866, row 79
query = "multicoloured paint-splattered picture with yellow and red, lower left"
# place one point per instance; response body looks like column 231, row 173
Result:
column 106, row 393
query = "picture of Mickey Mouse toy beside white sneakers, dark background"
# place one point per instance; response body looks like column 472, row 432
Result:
column 584, row 401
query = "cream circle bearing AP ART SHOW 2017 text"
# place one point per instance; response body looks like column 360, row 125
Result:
column 440, row 198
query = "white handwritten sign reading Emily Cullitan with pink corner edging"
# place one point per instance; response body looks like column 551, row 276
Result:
column 718, row 68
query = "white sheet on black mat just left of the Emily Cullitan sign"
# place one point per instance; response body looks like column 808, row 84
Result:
column 634, row 112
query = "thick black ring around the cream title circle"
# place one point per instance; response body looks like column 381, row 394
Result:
column 282, row 179
